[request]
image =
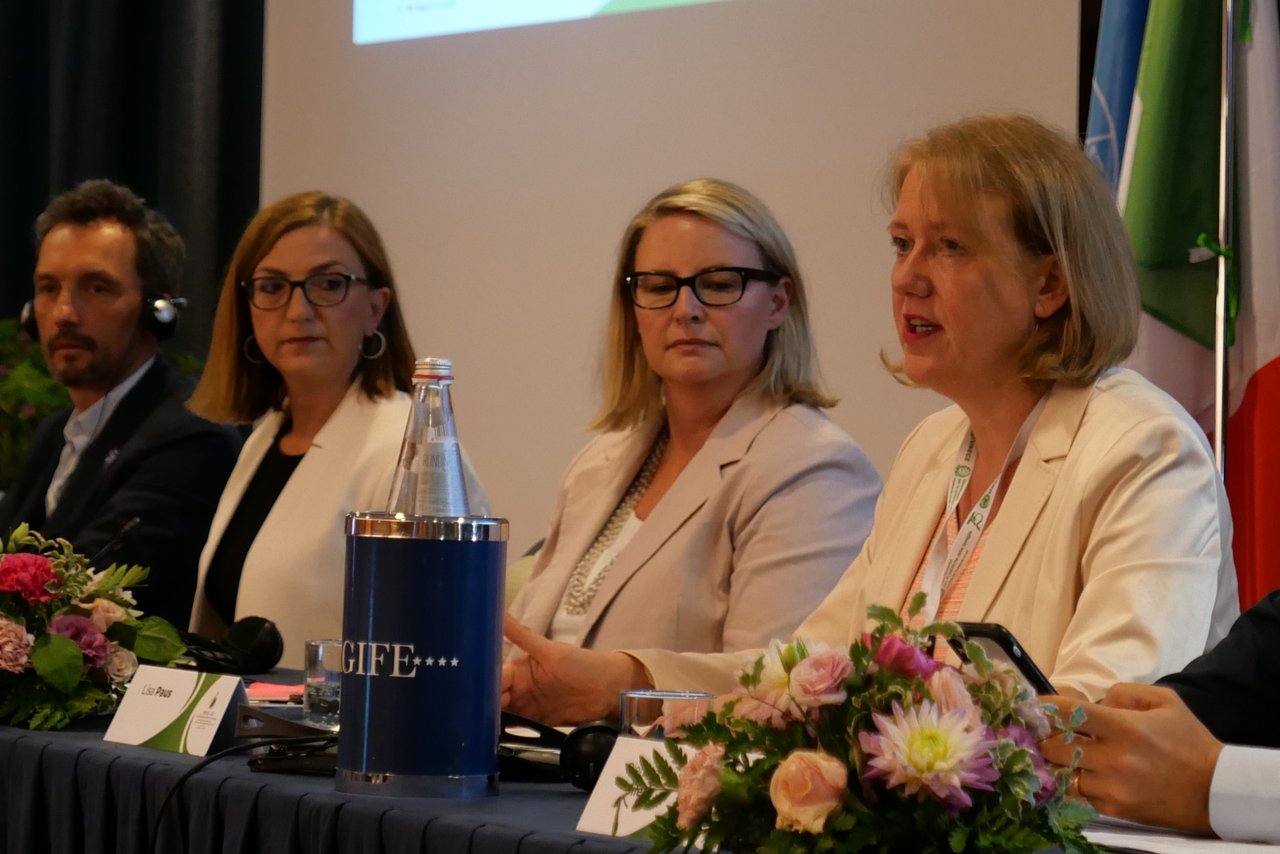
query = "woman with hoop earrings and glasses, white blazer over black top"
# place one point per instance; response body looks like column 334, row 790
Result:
column 309, row 345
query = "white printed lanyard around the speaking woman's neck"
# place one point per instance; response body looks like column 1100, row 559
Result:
column 944, row 565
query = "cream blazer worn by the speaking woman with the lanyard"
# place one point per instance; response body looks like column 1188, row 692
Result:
column 1110, row 559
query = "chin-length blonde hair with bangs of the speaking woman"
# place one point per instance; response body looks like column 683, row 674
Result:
column 1059, row 205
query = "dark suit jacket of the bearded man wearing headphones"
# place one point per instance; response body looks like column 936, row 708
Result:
column 153, row 460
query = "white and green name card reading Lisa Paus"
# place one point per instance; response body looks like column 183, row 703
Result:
column 182, row 711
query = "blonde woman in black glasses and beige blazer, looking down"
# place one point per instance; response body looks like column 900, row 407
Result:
column 720, row 505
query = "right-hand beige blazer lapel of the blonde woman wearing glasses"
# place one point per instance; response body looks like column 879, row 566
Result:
column 728, row 444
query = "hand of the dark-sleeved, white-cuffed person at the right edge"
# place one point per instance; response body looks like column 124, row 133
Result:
column 1144, row 757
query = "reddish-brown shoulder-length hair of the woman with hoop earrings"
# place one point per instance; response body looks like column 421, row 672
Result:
column 232, row 389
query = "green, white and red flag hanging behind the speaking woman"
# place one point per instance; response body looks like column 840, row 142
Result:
column 1168, row 191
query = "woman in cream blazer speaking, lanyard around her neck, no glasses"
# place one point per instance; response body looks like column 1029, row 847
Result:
column 1062, row 496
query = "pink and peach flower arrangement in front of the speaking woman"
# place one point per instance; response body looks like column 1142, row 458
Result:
column 880, row 748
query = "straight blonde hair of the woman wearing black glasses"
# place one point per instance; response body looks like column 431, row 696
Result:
column 633, row 392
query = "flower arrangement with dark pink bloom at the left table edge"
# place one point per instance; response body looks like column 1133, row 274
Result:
column 70, row 637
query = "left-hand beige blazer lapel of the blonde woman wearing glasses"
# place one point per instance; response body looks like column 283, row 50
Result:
column 593, row 494
